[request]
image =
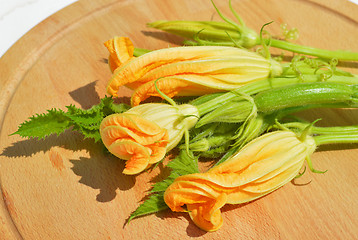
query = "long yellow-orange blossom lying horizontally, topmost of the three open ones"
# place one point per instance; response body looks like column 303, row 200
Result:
column 184, row 71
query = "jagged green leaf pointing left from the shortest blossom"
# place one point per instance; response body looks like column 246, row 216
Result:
column 56, row 121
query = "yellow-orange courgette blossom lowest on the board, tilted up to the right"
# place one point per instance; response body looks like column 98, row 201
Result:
column 262, row 166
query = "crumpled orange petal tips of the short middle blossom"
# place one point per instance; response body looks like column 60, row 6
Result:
column 135, row 139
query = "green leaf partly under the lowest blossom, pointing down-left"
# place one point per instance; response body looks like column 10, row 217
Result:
column 183, row 164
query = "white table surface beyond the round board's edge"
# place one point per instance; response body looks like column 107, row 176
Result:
column 19, row 16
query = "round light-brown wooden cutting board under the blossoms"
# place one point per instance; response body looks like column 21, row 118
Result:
column 66, row 188
